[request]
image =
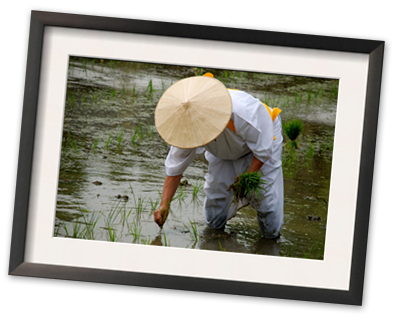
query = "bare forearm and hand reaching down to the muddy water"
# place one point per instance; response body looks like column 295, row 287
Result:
column 170, row 186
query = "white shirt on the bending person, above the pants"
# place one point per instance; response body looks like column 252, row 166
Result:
column 254, row 132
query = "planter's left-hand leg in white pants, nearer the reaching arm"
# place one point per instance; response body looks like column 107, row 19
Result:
column 218, row 205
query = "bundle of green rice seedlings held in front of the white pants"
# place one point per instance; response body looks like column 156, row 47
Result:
column 247, row 184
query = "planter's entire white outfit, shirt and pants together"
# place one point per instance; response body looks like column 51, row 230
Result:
column 232, row 153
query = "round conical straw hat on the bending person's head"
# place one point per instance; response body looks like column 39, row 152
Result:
column 193, row 112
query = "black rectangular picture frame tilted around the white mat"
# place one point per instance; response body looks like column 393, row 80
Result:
column 17, row 266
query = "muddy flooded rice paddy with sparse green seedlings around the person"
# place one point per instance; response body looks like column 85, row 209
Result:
column 112, row 163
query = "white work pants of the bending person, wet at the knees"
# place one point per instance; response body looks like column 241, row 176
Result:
column 219, row 206
